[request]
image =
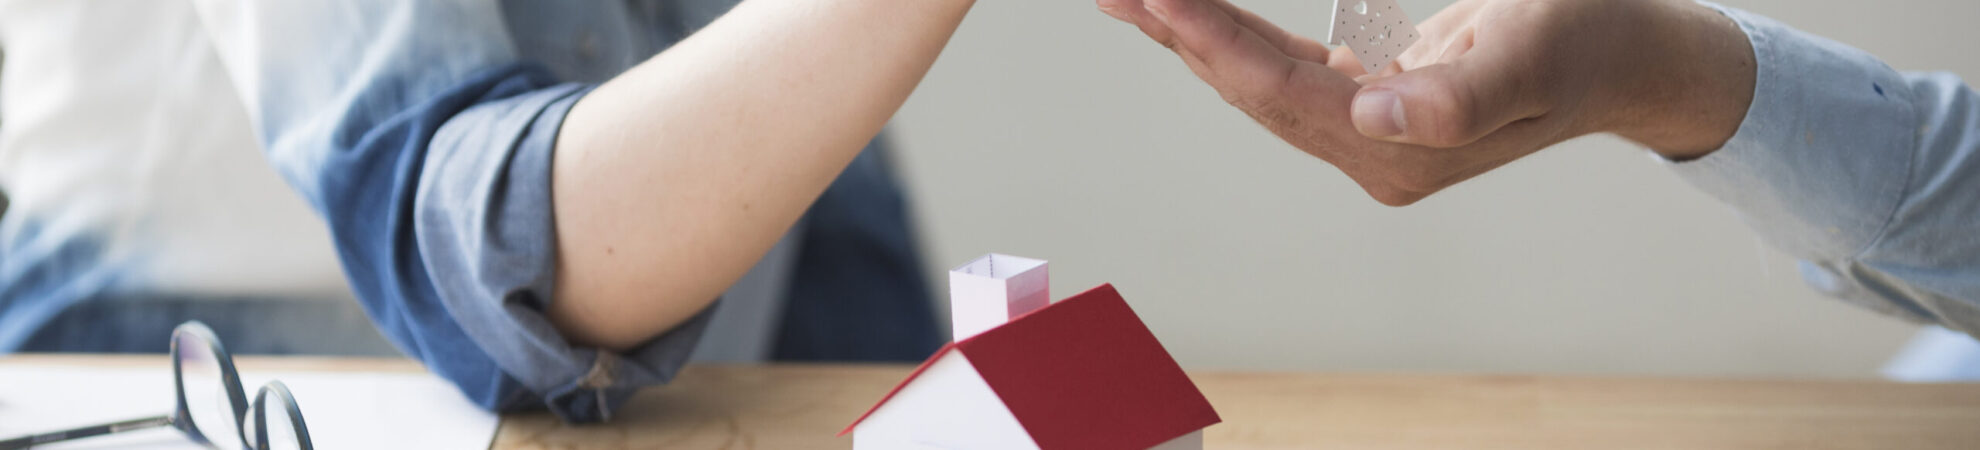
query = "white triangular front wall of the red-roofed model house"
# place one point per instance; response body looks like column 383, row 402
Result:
column 947, row 407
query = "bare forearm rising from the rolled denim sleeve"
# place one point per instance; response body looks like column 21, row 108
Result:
column 676, row 177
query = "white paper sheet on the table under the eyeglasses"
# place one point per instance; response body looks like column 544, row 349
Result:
column 342, row 409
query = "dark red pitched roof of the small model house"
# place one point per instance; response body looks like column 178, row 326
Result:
column 1084, row 374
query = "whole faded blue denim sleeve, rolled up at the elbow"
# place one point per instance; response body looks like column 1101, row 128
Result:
column 427, row 148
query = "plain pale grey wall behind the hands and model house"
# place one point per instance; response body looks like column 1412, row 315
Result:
column 1054, row 132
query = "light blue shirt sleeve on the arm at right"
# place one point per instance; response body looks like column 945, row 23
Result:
column 1866, row 175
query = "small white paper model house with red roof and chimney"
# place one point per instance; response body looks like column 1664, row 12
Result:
column 1027, row 374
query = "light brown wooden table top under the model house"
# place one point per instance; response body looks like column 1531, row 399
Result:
column 807, row 405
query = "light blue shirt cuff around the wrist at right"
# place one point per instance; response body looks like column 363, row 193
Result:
column 1821, row 162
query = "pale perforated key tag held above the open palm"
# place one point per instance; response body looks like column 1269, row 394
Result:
column 1377, row 31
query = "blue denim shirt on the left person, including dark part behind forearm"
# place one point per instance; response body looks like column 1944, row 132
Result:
column 425, row 132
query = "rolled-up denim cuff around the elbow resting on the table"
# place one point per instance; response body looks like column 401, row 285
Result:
column 488, row 235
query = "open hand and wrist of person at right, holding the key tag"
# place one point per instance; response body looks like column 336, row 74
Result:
column 1490, row 82
